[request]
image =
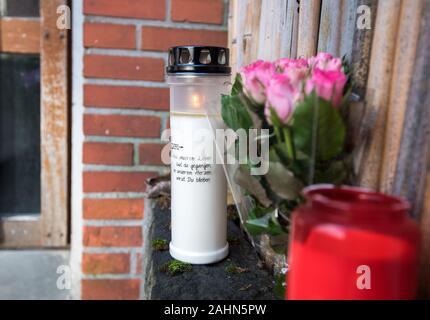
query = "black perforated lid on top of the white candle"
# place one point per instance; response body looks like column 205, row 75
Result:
column 198, row 59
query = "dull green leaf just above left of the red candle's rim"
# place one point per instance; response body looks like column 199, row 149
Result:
column 283, row 182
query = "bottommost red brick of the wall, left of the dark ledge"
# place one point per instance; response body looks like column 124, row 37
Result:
column 101, row 289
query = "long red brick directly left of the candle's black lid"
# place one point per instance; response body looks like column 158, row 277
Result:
column 124, row 68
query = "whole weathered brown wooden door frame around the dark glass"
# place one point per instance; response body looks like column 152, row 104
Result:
column 41, row 35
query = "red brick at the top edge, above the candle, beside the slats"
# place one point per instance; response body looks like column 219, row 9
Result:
column 198, row 11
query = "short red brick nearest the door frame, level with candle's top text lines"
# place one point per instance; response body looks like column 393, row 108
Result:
column 108, row 153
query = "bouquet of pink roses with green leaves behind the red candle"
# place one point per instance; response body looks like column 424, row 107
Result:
column 301, row 102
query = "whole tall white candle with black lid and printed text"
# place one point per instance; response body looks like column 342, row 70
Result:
column 199, row 187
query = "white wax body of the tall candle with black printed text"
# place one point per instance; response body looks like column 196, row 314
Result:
column 199, row 197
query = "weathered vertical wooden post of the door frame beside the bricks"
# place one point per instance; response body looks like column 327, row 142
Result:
column 54, row 127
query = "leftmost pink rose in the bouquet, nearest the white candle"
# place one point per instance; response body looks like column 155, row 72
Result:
column 256, row 77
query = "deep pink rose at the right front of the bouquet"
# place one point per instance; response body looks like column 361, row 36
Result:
column 328, row 85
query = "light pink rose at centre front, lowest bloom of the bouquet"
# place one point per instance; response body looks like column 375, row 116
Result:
column 282, row 96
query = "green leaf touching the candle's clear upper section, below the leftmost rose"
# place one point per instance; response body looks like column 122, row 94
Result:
column 234, row 113
